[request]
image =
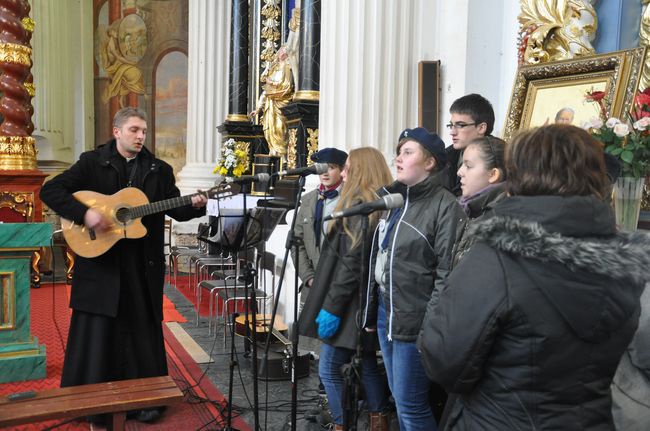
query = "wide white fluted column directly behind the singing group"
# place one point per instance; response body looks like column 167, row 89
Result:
column 368, row 88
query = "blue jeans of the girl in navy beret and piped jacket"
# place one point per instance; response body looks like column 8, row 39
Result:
column 406, row 378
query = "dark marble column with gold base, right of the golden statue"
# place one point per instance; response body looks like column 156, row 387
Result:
column 310, row 37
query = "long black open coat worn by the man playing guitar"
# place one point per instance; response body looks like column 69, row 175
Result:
column 96, row 281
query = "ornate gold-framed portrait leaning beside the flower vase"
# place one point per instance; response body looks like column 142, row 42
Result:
column 543, row 90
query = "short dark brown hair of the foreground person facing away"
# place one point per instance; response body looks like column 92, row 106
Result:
column 559, row 160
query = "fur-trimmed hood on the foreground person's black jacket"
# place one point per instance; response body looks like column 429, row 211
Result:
column 569, row 248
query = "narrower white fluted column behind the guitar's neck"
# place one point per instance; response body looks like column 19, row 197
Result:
column 208, row 47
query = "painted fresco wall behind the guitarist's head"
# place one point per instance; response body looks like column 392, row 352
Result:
column 141, row 60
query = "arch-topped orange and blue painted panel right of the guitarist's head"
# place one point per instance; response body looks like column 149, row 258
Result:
column 171, row 109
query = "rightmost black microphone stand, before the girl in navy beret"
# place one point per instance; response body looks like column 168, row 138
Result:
column 352, row 390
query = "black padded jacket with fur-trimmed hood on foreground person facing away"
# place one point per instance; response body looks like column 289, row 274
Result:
column 536, row 316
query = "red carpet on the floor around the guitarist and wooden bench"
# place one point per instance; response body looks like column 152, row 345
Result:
column 202, row 403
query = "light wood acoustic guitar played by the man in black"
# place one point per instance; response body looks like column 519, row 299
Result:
column 124, row 210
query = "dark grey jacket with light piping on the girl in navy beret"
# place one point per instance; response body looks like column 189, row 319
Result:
column 419, row 258
